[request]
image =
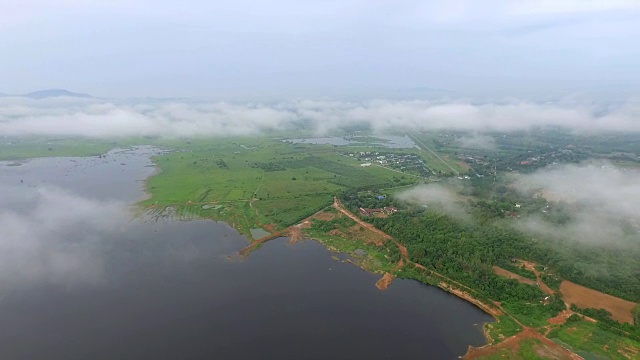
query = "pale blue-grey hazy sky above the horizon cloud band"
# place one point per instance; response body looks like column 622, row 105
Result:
column 121, row 48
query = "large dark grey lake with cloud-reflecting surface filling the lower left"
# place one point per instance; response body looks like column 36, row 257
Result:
column 81, row 279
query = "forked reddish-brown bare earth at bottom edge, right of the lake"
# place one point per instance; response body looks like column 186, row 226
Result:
column 548, row 349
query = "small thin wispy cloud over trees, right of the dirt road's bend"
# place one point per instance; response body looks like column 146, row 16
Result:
column 437, row 196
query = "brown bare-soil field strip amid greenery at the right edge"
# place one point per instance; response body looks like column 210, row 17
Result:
column 583, row 297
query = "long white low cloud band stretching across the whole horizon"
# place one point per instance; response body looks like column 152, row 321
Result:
column 99, row 118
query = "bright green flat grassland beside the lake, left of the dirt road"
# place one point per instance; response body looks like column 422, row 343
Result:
column 259, row 181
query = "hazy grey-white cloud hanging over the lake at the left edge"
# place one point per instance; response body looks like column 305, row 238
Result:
column 52, row 236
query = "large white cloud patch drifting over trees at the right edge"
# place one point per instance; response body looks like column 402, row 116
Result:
column 598, row 196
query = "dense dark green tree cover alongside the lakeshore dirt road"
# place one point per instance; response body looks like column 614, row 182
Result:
column 465, row 253
